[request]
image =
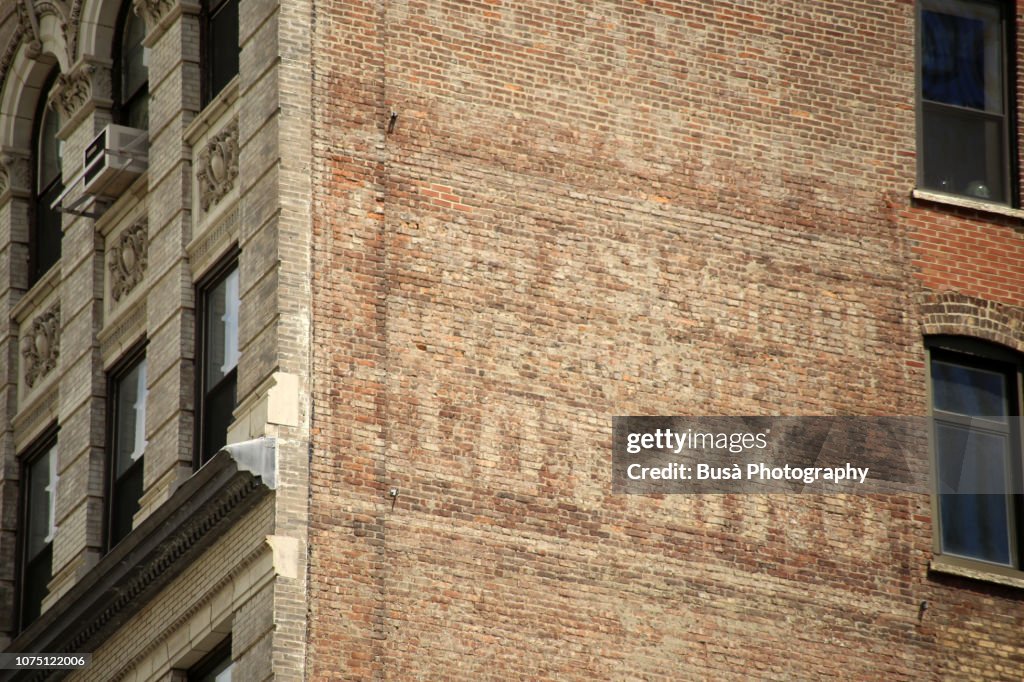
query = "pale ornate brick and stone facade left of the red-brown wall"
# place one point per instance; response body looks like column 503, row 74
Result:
column 246, row 581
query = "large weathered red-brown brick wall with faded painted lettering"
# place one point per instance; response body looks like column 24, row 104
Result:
column 590, row 209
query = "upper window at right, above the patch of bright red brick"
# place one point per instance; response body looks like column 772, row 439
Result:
column 964, row 100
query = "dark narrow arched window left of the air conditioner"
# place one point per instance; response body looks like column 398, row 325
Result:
column 47, row 233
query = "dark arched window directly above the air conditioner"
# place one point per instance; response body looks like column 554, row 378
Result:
column 132, row 72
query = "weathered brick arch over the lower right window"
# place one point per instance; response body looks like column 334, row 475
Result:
column 959, row 315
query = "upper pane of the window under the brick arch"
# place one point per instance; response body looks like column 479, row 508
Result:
column 969, row 392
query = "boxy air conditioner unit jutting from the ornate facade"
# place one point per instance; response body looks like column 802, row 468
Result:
column 114, row 159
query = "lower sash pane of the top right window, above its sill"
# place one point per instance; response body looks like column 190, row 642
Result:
column 964, row 154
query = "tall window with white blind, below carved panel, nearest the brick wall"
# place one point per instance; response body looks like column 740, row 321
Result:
column 219, row 355
